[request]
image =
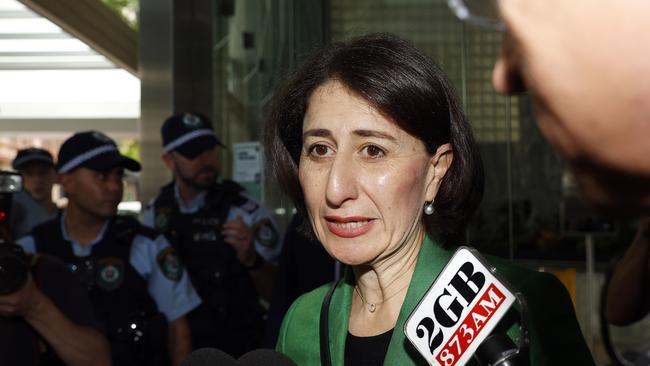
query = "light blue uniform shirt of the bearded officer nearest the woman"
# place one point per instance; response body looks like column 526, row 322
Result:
column 267, row 240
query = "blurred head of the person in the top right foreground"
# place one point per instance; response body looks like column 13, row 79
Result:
column 586, row 66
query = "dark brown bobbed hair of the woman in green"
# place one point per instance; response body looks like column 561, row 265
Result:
column 402, row 83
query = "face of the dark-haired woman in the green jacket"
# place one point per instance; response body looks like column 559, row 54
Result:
column 364, row 179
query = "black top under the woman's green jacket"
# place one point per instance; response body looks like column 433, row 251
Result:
column 366, row 351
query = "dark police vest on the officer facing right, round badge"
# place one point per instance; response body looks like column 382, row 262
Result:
column 136, row 330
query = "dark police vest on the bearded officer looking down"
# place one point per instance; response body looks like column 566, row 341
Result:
column 230, row 317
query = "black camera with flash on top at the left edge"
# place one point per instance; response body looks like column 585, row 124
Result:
column 13, row 262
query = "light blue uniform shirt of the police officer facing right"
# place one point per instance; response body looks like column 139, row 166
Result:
column 173, row 298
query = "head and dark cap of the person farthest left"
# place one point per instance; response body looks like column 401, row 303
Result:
column 37, row 168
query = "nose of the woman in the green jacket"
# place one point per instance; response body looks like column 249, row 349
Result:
column 341, row 182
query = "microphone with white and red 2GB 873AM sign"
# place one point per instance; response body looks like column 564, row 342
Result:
column 454, row 321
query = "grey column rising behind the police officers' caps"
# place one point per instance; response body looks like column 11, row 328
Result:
column 176, row 75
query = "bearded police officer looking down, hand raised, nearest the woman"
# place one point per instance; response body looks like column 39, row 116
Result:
column 227, row 240
